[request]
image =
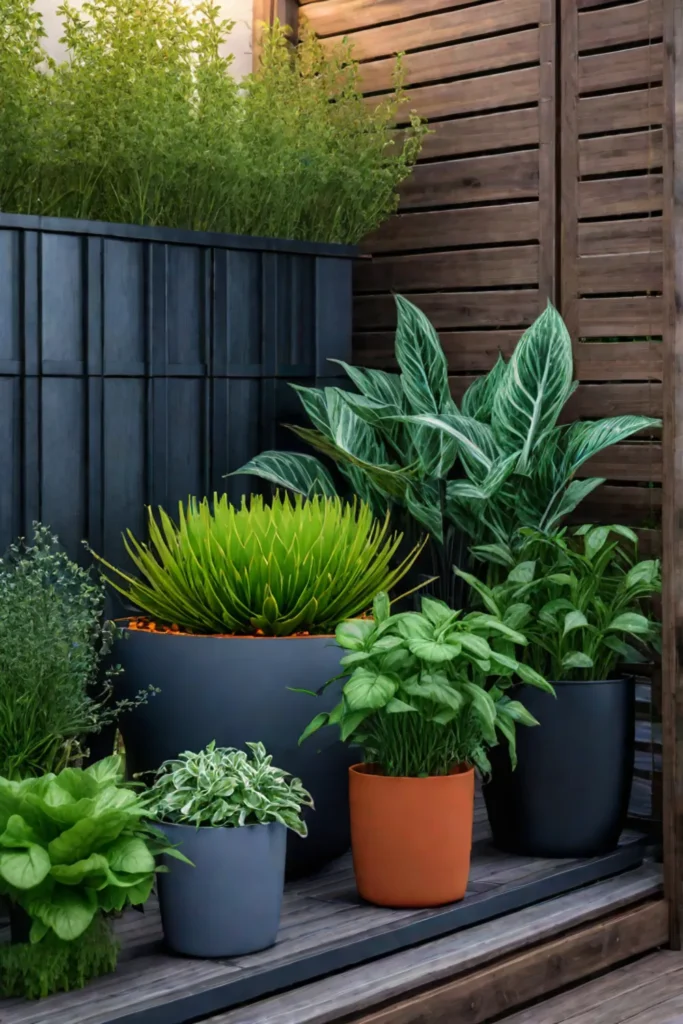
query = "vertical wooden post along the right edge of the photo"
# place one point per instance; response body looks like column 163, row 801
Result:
column 672, row 681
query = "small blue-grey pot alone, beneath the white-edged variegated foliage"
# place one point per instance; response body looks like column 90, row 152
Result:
column 229, row 904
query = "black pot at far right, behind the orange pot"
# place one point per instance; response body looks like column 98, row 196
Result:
column 570, row 795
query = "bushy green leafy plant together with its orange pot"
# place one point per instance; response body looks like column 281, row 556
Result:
column 424, row 704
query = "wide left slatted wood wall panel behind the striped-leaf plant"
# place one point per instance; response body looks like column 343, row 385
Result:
column 474, row 241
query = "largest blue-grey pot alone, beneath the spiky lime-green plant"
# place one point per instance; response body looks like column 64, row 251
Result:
column 236, row 691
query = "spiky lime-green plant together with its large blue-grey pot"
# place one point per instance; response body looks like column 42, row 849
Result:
column 241, row 608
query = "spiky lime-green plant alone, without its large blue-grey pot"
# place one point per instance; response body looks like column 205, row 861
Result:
column 294, row 566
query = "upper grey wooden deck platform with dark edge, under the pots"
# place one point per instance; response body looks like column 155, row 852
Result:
column 325, row 929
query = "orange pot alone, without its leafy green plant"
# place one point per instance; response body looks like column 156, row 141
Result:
column 411, row 838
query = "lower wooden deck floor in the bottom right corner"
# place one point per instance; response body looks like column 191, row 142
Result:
column 650, row 992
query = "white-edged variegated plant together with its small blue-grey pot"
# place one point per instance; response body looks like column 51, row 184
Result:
column 229, row 813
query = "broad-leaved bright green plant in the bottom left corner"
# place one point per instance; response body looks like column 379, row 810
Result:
column 76, row 848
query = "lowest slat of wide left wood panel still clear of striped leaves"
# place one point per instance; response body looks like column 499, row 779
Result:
column 467, row 269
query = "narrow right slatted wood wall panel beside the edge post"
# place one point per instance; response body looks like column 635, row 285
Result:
column 611, row 209
